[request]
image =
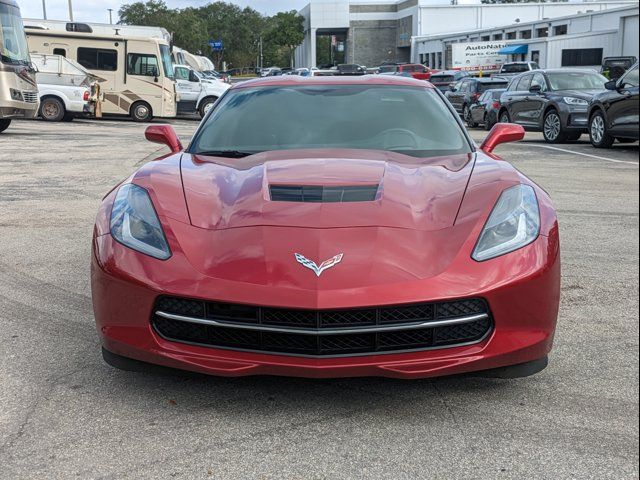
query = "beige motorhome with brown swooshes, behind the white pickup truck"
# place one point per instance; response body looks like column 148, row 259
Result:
column 138, row 72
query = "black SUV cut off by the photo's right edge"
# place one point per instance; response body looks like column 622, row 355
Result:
column 613, row 115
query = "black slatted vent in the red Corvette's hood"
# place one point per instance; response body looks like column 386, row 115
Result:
column 322, row 194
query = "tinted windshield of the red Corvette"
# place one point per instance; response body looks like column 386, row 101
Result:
column 409, row 120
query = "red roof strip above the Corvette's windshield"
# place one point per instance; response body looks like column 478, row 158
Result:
column 291, row 81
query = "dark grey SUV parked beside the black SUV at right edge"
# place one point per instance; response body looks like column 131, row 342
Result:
column 555, row 102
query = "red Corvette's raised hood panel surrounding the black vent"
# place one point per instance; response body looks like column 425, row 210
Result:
column 416, row 194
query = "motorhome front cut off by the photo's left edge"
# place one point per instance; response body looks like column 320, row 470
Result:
column 18, row 88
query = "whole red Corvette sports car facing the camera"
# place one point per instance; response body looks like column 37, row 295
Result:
column 328, row 227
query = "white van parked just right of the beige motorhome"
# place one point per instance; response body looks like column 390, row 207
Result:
column 197, row 94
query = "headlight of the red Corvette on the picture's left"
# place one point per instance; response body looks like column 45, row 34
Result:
column 135, row 224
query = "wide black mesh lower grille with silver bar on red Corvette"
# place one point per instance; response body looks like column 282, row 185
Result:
column 322, row 332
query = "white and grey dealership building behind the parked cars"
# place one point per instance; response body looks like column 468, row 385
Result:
column 556, row 33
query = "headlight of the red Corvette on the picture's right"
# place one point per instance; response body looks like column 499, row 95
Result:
column 513, row 224
